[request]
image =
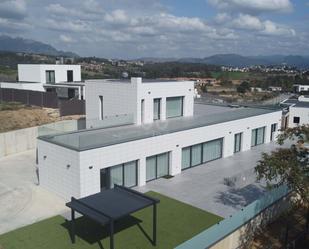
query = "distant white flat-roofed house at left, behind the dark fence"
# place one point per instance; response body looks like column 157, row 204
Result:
column 65, row 79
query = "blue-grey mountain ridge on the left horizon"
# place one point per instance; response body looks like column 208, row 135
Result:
column 18, row 44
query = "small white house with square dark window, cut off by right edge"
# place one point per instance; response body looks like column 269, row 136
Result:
column 298, row 113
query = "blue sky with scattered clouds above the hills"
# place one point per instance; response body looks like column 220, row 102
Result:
column 161, row 28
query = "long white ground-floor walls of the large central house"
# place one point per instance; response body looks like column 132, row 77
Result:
column 140, row 149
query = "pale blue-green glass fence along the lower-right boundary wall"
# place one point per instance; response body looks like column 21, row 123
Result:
column 221, row 230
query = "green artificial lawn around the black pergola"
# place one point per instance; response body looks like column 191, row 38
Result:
column 177, row 222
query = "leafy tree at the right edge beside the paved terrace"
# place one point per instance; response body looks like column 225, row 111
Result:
column 289, row 166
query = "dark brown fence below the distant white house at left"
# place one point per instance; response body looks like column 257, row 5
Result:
column 43, row 99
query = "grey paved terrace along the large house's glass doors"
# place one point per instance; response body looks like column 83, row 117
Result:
column 204, row 186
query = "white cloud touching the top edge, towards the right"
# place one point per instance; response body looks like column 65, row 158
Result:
column 255, row 6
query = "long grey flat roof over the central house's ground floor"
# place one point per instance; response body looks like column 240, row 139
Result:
column 101, row 137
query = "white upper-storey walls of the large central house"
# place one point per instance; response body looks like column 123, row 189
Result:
column 124, row 97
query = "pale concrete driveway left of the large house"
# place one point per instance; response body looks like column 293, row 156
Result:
column 22, row 201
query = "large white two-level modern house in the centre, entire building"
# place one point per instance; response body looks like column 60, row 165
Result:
column 168, row 134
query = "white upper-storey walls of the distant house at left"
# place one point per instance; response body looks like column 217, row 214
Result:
column 36, row 72
